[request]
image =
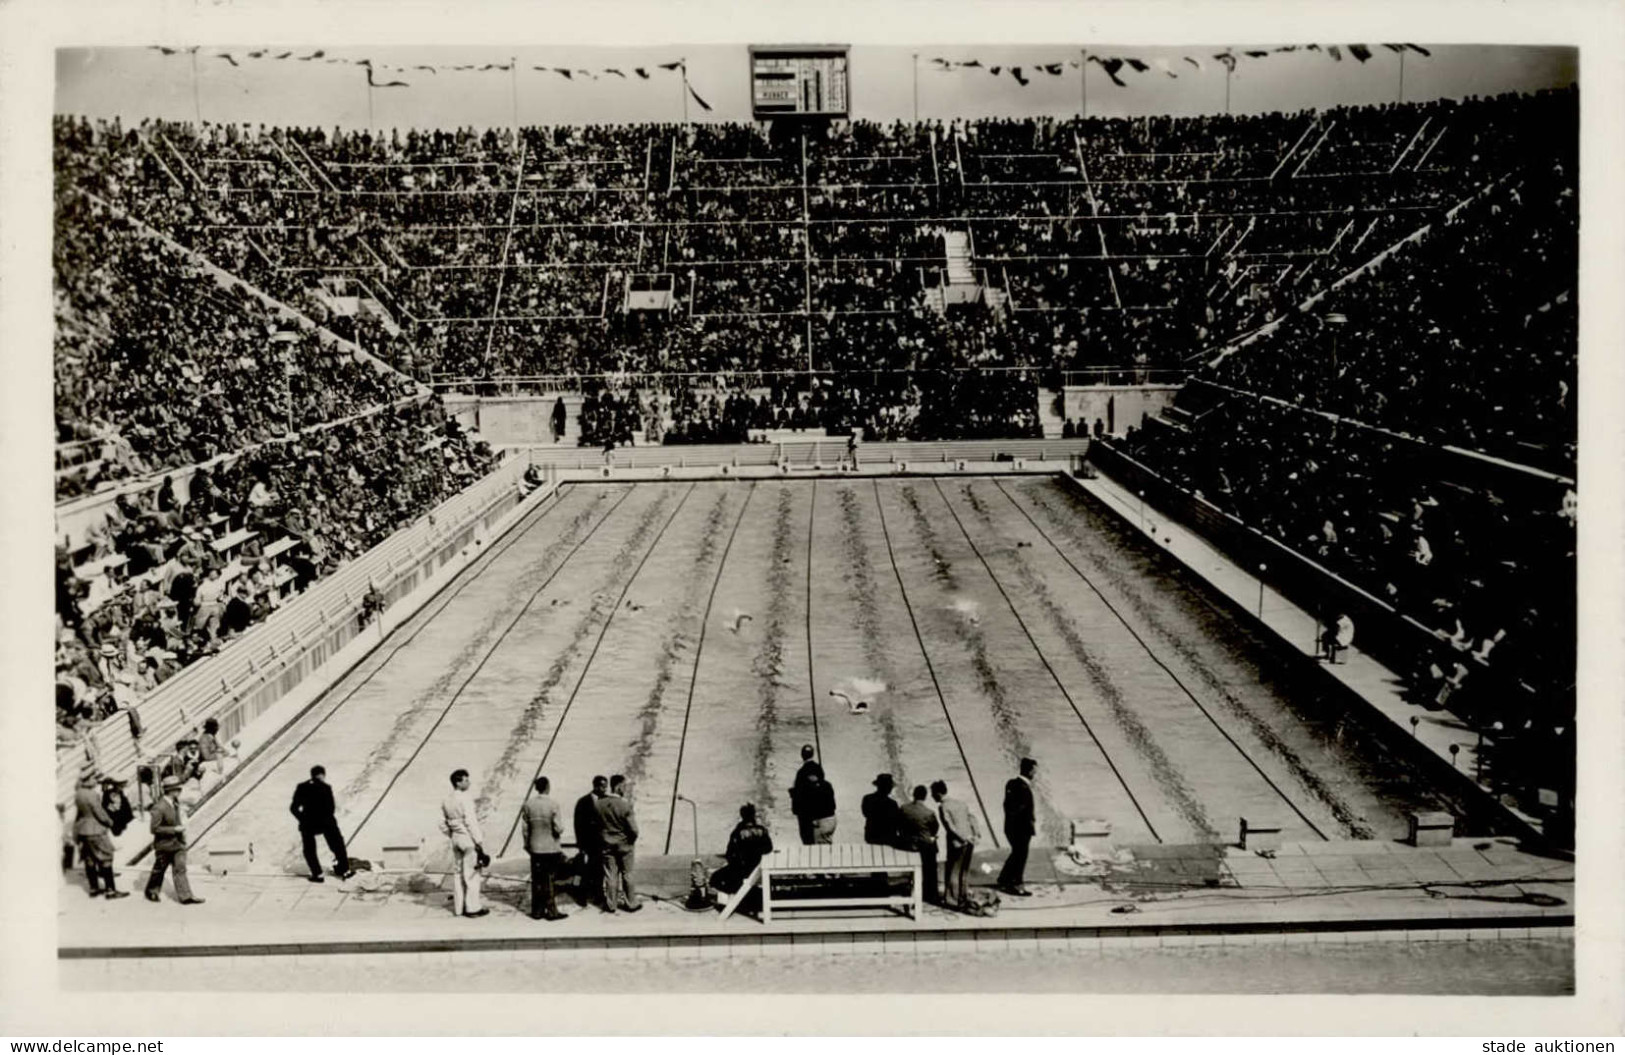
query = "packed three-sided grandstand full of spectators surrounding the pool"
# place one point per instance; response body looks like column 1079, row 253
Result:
column 1371, row 311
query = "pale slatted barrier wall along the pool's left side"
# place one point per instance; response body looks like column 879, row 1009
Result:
column 275, row 658
